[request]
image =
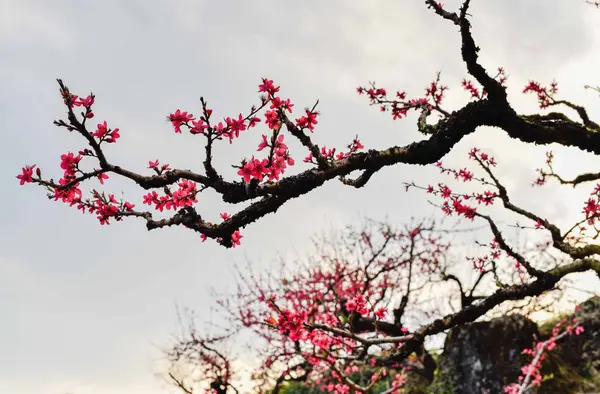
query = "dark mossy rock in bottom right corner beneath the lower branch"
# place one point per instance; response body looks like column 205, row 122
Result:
column 484, row 357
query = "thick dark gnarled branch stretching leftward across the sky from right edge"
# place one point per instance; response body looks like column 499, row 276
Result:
column 534, row 128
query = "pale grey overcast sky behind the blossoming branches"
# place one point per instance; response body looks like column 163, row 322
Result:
column 85, row 308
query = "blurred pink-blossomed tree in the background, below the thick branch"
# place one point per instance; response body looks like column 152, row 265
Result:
column 337, row 320
